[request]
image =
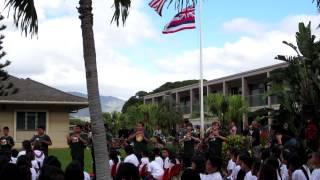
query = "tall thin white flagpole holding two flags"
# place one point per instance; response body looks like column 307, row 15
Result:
column 201, row 72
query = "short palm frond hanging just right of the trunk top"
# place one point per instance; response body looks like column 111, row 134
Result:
column 121, row 9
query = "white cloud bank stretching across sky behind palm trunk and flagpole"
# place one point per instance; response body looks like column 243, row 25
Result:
column 55, row 58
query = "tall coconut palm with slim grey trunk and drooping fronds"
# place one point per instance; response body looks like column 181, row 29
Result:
column 25, row 17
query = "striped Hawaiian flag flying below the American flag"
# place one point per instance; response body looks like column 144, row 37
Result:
column 185, row 19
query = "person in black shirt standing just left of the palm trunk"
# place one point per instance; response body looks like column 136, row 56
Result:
column 77, row 142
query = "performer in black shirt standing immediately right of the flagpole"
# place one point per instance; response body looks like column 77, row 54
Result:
column 215, row 140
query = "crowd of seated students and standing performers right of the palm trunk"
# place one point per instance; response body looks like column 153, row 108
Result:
column 284, row 159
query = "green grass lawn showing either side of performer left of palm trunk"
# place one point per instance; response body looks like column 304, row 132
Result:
column 65, row 158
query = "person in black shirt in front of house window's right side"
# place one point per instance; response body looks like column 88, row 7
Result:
column 43, row 140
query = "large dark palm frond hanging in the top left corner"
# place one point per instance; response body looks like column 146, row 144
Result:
column 24, row 15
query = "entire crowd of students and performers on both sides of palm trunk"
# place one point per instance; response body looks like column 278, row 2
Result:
column 200, row 158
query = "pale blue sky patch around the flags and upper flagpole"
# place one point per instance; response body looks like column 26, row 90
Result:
column 214, row 15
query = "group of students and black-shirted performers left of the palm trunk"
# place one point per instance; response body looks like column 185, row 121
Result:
column 32, row 162
